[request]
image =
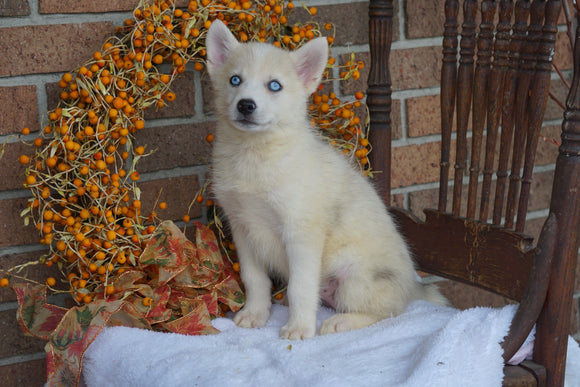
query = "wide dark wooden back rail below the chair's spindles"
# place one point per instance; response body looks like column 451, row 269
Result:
column 473, row 252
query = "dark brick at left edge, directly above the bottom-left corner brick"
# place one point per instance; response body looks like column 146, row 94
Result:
column 14, row 342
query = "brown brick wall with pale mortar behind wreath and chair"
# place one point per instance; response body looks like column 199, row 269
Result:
column 39, row 40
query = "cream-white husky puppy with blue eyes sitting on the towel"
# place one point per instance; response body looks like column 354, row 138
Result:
column 297, row 208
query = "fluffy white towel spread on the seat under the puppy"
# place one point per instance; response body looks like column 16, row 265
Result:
column 428, row 345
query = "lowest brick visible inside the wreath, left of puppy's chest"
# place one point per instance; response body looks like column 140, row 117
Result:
column 177, row 192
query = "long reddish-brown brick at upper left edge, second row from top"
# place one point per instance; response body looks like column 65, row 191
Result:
column 49, row 48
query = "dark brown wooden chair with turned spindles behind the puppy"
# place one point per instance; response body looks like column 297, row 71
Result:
column 505, row 84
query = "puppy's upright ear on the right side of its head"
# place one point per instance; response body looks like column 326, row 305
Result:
column 310, row 61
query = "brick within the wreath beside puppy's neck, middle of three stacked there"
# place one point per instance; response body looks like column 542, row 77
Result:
column 175, row 146
